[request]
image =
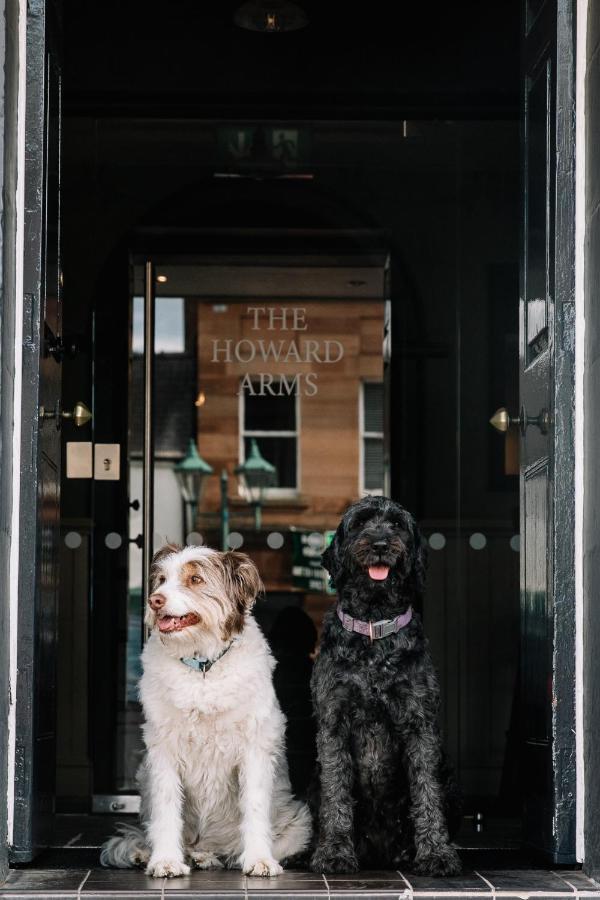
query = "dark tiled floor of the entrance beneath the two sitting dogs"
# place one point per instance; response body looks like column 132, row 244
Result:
column 493, row 867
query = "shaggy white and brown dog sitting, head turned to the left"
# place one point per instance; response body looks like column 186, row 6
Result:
column 214, row 783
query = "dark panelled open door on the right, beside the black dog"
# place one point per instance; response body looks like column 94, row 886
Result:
column 546, row 425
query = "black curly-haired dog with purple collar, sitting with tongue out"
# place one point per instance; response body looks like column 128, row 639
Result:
column 385, row 792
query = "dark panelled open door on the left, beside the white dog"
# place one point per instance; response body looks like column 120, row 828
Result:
column 41, row 422
